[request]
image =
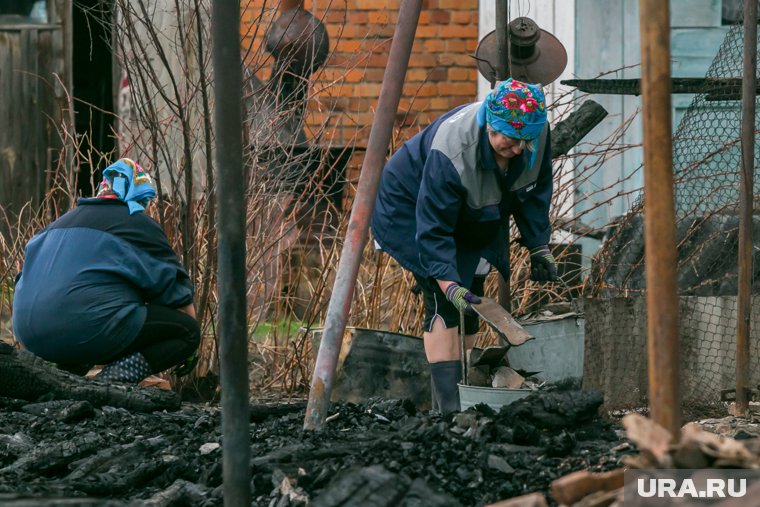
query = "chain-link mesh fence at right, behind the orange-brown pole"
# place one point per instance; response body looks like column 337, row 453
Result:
column 707, row 165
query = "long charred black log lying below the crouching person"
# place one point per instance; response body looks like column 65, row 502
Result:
column 25, row 376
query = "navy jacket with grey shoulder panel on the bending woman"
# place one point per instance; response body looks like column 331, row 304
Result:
column 443, row 203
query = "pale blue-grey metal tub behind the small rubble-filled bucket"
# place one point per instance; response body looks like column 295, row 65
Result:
column 557, row 351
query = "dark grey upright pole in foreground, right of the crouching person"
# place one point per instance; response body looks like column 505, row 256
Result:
column 233, row 353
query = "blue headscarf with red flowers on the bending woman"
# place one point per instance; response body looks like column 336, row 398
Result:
column 515, row 109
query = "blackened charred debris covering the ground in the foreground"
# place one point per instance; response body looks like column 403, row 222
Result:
column 381, row 452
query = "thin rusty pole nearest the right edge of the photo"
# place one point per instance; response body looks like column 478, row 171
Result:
column 746, row 185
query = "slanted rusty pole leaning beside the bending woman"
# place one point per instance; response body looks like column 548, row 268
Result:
column 361, row 212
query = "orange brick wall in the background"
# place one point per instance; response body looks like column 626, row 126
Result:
column 441, row 74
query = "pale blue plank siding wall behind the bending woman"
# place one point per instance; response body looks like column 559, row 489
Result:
column 607, row 39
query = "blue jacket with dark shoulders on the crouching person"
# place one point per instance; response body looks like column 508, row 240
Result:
column 87, row 277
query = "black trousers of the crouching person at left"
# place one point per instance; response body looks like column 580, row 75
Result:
column 167, row 338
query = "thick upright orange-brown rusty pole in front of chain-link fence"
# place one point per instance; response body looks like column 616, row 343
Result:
column 659, row 219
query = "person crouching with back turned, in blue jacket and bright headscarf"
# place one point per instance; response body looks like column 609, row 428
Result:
column 102, row 285
